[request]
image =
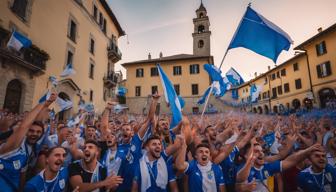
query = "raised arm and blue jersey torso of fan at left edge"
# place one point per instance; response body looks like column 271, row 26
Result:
column 14, row 153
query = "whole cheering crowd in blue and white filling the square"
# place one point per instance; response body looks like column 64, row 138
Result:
column 231, row 151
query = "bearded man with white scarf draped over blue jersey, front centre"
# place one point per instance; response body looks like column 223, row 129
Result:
column 153, row 173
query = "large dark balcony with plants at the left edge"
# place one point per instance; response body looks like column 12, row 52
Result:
column 31, row 58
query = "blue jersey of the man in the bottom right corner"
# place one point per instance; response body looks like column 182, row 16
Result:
column 318, row 182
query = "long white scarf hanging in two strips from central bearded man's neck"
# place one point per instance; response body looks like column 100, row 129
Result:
column 162, row 176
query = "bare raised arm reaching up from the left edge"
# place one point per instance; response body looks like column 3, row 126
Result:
column 15, row 140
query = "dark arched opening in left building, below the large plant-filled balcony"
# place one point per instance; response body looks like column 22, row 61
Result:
column 13, row 96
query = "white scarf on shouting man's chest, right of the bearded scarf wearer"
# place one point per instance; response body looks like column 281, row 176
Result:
column 208, row 177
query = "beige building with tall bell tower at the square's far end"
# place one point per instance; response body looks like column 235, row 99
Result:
column 185, row 71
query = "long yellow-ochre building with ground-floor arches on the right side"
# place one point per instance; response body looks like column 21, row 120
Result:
column 306, row 80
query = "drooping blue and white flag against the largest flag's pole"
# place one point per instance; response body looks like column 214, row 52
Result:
column 220, row 87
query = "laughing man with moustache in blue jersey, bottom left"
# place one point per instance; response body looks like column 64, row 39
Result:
column 53, row 178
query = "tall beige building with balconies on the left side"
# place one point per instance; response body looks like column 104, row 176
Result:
column 83, row 33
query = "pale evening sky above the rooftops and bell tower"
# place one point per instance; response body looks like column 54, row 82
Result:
column 154, row 26
